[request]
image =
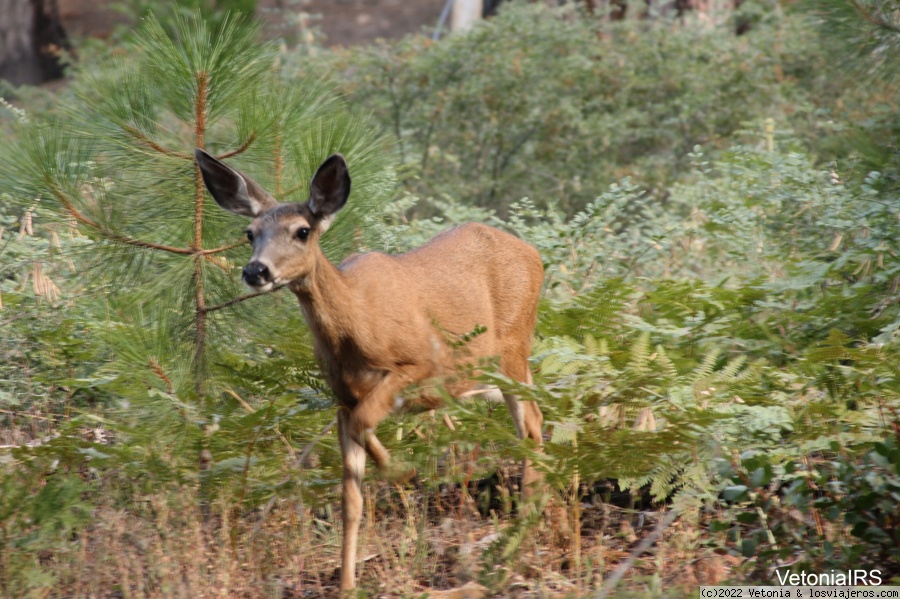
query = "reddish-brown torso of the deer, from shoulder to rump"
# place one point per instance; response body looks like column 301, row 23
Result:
column 470, row 276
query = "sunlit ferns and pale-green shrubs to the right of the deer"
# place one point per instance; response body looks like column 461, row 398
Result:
column 662, row 348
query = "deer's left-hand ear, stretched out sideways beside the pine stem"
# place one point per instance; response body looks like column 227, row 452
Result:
column 231, row 189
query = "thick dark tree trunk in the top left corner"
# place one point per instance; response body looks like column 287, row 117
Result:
column 31, row 37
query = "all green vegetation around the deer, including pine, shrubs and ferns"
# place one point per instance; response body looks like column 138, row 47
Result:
column 719, row 324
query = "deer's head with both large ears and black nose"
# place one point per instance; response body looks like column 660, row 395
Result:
column 285, row 236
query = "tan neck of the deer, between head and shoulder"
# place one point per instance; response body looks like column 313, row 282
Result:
column 328, row 304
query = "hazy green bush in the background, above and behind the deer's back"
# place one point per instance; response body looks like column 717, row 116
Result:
column 540, row 103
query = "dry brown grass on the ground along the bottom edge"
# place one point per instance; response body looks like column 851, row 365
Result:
column 411, row 543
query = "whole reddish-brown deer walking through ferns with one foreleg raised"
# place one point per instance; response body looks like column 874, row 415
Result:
column 382, row 324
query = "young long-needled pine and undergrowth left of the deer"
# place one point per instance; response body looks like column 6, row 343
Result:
column 153, row 337
